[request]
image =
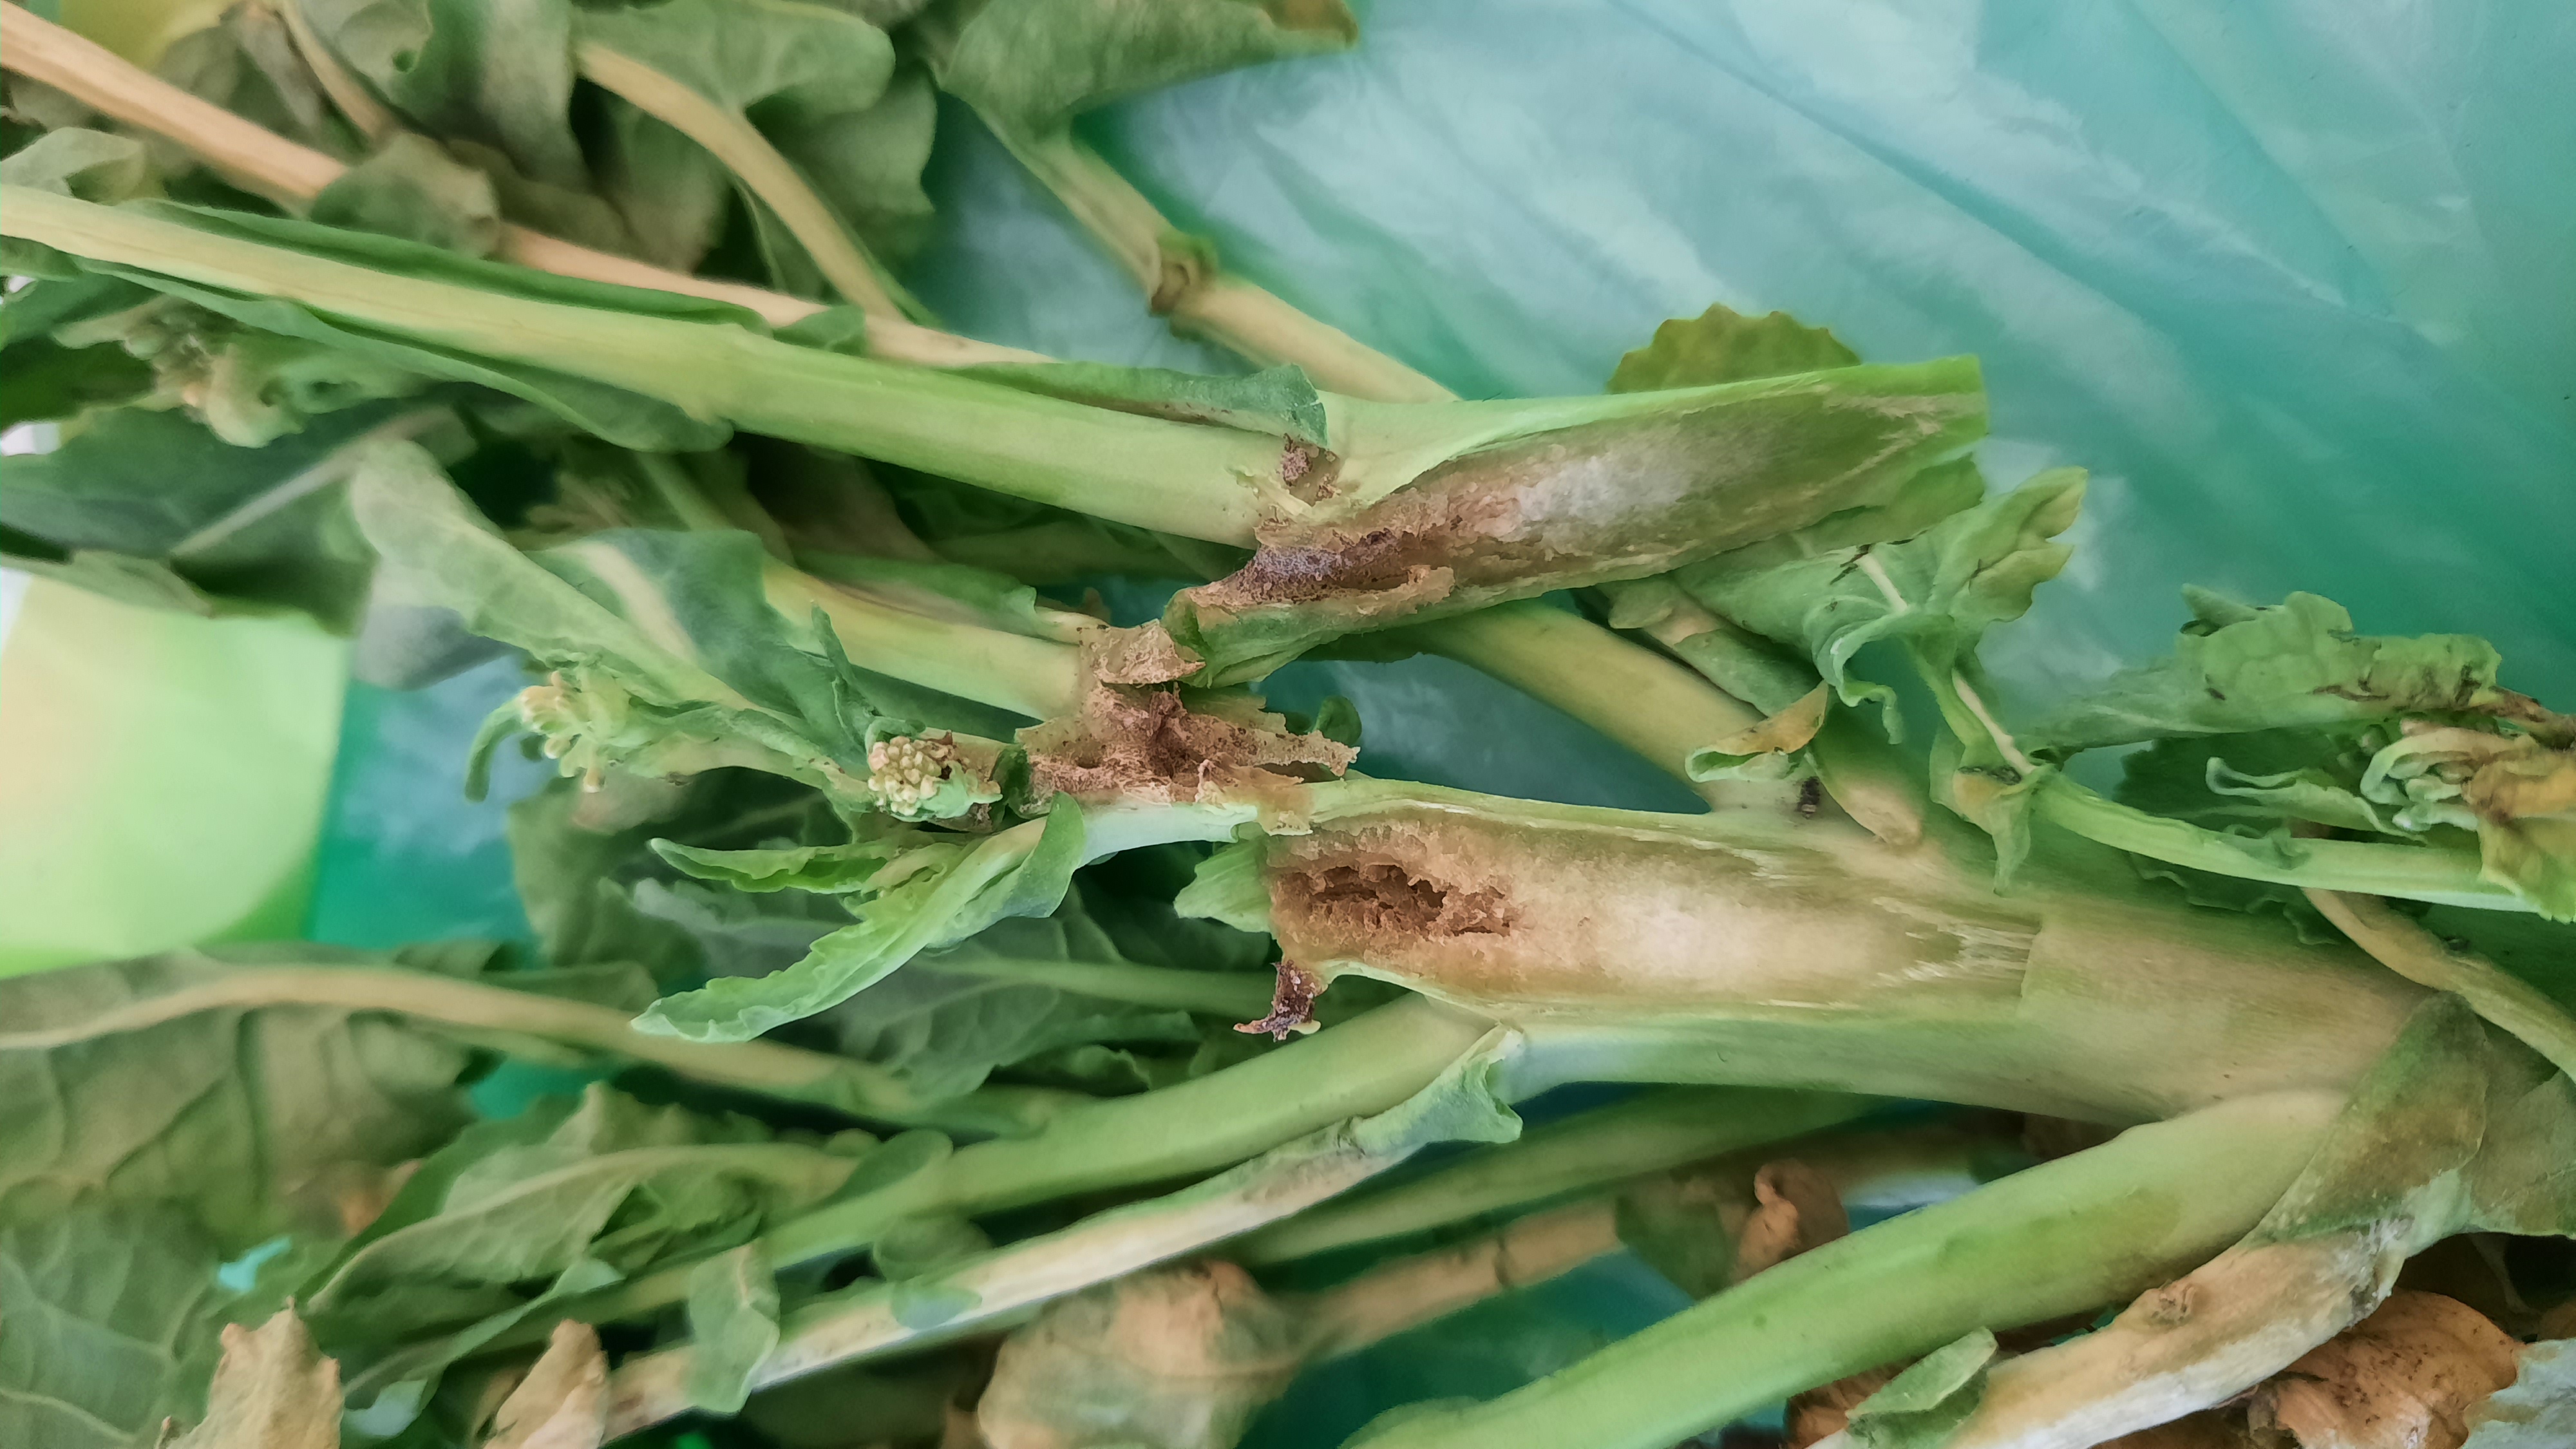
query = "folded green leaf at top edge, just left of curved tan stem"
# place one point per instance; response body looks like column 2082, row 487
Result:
column 483, row 71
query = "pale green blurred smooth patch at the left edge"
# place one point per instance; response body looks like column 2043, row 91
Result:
column 161, row 777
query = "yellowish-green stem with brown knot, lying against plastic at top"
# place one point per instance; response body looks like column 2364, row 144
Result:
column 1184, row 282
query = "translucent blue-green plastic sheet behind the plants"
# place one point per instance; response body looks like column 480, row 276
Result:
column 2297, row 280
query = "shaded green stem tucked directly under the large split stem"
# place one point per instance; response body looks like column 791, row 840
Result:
column 1588, row 1151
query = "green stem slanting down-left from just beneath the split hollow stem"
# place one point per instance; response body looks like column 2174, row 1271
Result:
column 1106, row 1143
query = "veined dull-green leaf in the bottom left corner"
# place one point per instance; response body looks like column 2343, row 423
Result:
column 109, row 1327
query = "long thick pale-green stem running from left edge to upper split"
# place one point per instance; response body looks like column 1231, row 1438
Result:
column 1181, row 478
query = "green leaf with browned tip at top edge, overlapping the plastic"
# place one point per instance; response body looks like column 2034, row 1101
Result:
column 1039, row 63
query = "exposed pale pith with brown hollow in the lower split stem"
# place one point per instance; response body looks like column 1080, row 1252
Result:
column 1570, row 917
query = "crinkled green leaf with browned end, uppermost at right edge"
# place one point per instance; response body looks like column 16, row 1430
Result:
column 2281, row 666
